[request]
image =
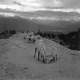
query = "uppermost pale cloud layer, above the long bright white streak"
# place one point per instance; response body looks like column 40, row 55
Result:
column 45, row 3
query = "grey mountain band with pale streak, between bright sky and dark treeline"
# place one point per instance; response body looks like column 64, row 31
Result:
column 63, row 21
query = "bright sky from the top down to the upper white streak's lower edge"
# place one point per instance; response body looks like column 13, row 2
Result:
column 35, row 5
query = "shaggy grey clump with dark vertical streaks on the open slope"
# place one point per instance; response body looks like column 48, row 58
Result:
column 44, row 53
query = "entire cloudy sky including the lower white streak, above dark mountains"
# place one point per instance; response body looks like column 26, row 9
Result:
column 40, row 5
